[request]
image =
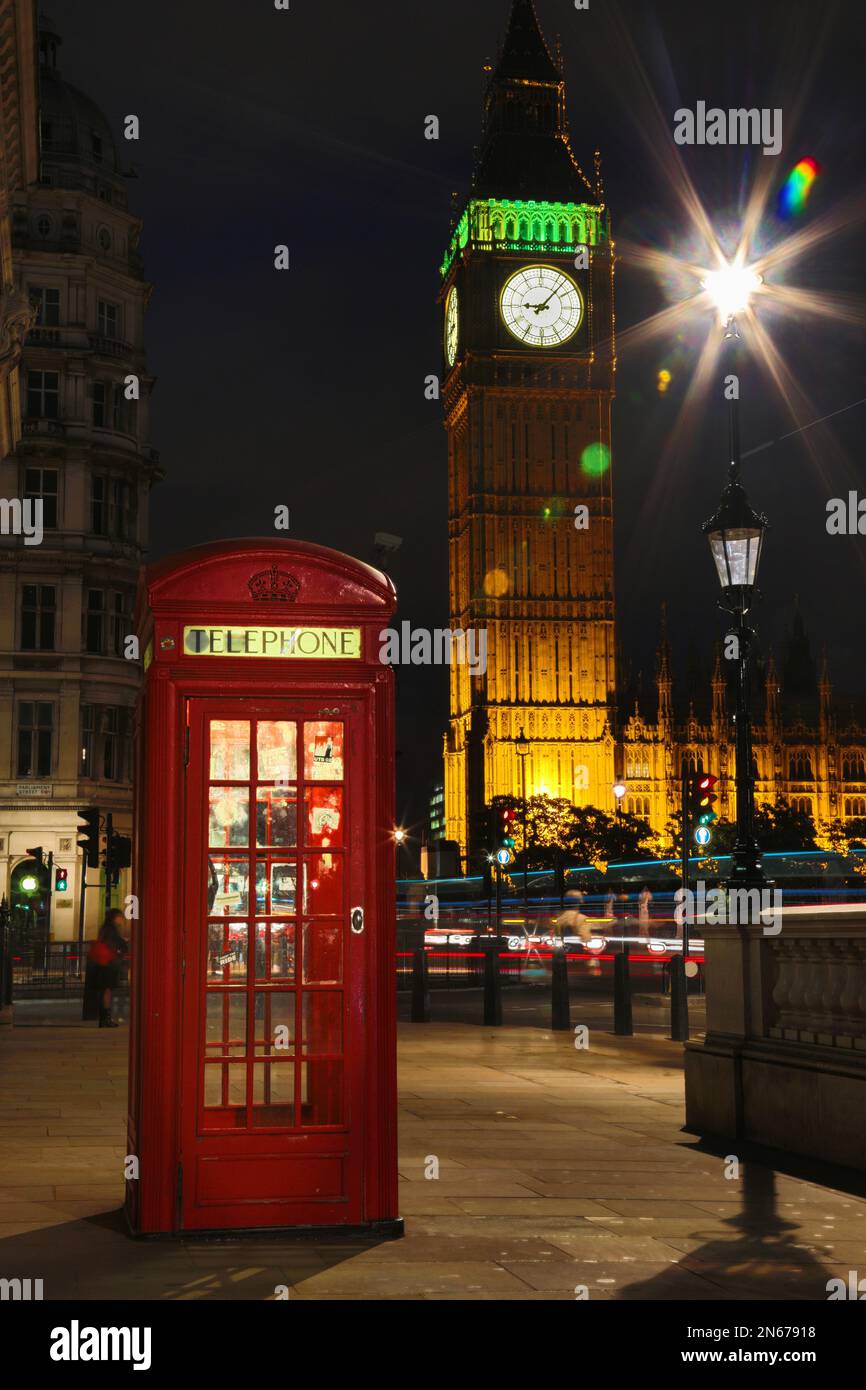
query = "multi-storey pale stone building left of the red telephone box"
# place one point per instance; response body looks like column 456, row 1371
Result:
column 74, row 430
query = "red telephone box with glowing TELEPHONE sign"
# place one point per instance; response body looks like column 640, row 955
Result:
column 263, row 1081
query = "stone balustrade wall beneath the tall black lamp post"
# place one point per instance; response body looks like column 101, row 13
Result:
column 783, row 1061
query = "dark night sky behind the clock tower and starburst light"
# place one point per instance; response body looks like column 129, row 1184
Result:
column 308, row 389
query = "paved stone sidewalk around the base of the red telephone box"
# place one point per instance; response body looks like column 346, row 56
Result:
column 559, row 1170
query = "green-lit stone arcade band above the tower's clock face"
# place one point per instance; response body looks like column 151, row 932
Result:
column 526, row 226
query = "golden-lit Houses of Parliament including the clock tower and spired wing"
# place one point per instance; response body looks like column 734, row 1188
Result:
column 529, row 382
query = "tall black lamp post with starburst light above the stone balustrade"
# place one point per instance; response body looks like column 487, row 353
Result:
column 736, row 540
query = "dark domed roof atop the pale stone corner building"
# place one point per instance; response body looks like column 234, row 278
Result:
column 74, row 131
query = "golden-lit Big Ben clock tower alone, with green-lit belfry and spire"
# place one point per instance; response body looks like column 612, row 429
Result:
column 529, row 358
